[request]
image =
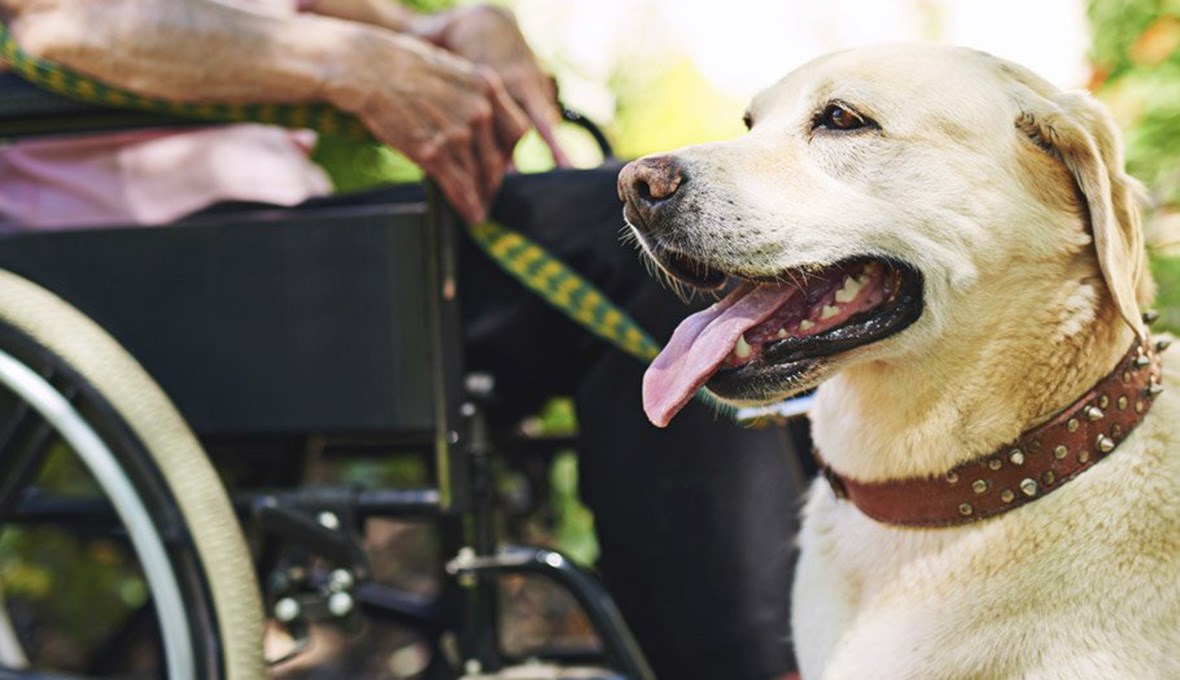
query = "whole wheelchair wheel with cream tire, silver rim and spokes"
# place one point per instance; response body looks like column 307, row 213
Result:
column 97, row 466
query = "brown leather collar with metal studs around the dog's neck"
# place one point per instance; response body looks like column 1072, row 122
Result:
column 1040, row 461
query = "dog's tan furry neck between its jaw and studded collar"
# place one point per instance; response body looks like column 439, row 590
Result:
column 922, row 417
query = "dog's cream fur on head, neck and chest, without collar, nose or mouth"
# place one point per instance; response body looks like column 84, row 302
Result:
column 1011, row 198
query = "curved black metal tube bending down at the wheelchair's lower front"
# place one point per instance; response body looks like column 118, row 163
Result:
column 620, row 649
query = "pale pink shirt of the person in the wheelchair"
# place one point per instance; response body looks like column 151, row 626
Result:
column 153, row 178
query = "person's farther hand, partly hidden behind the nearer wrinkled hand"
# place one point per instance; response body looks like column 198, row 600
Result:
column 490, row 36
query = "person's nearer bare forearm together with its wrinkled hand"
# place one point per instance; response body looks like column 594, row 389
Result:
column 449, row 116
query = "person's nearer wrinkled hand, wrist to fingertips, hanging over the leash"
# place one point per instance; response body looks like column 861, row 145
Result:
column 451, row 117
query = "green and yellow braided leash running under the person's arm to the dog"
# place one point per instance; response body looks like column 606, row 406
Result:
column 527, row 261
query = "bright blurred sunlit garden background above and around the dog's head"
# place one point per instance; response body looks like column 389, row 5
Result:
column 664, row 74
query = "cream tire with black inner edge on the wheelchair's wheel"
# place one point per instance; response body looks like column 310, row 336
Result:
column 165, row 465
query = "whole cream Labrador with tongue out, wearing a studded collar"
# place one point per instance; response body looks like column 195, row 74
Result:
column 950, row 249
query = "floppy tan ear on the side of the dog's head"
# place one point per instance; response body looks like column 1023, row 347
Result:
column 1081, row 134
